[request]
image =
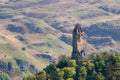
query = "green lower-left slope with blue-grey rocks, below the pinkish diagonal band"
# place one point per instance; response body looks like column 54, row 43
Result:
column 13, row 61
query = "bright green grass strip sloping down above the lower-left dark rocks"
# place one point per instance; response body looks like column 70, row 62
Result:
column 13, row 52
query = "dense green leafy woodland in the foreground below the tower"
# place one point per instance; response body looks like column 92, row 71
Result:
column 105, row 66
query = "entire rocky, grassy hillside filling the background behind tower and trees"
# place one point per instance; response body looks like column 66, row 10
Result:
column 35, row 33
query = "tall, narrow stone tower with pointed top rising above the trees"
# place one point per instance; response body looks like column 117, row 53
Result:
column 78, row 51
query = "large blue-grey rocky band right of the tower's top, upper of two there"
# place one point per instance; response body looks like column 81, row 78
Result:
column 103, row 30
